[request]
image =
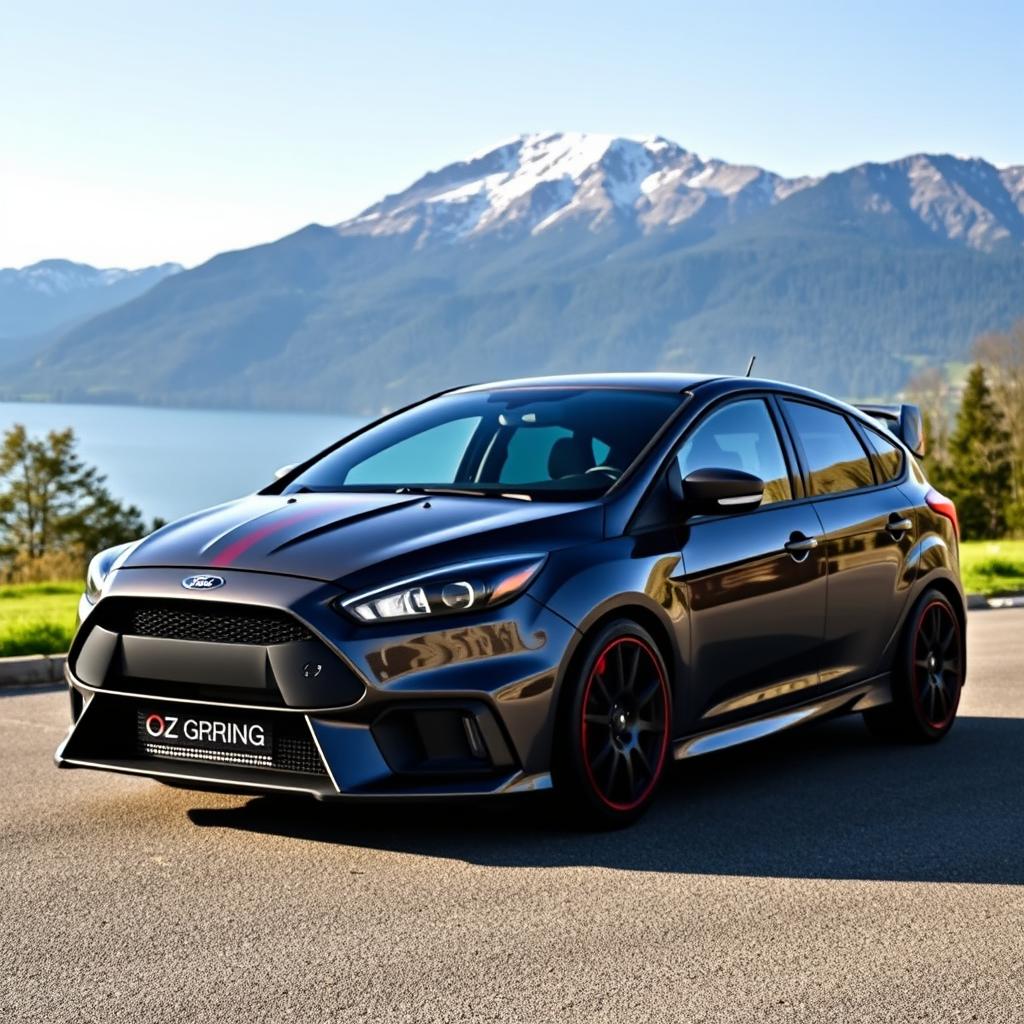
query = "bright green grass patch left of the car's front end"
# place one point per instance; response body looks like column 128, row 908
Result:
column 37, row 618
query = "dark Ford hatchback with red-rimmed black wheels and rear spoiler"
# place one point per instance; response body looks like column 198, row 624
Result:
column 561, row 583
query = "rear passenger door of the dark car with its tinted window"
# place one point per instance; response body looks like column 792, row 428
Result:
column 852, row 473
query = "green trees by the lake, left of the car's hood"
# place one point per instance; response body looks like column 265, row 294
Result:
column 56, row 511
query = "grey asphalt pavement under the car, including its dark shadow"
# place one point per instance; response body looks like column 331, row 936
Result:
column 819, row 877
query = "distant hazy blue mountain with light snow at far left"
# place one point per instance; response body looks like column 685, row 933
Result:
column 52, row 295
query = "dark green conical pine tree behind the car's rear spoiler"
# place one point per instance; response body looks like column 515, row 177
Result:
column 979, row 476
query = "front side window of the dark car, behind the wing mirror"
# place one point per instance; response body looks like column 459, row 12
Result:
column 741, row 436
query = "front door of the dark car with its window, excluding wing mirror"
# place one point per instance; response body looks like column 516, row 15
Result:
column 755, row 581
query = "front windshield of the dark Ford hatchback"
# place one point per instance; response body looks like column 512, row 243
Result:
column 532, row 443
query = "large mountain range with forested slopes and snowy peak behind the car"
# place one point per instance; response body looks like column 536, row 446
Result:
column 562, row 252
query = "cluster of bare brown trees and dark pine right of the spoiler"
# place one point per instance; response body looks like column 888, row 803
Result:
column 975, row 452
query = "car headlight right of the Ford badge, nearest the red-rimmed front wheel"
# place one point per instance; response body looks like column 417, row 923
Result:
column 458, row 588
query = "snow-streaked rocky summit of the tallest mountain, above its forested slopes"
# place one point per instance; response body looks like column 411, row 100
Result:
column 536, row 183
